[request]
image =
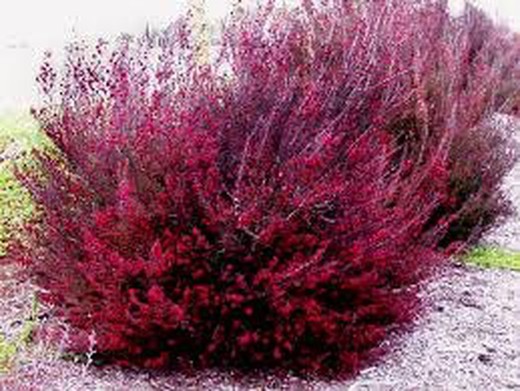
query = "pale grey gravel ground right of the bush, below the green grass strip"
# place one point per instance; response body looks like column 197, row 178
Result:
column 468, row 340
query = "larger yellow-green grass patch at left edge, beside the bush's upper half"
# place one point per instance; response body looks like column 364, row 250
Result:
column 18, row 132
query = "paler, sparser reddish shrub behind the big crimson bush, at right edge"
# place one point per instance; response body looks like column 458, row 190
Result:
column 482, row 154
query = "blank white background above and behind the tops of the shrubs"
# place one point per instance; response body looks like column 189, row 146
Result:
column 28, row 27
